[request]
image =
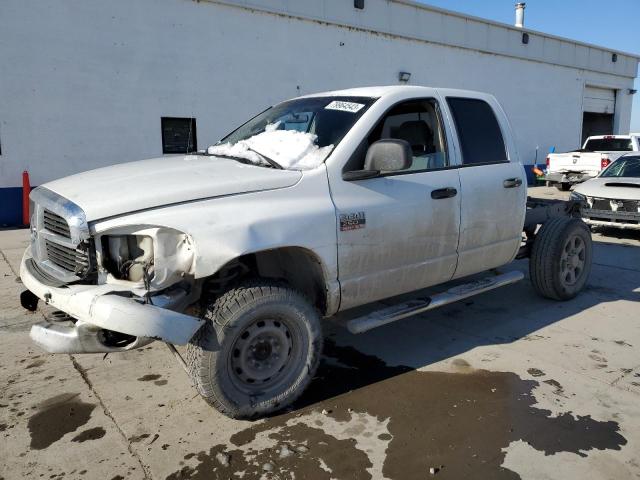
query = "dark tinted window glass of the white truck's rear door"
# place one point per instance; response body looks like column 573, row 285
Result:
column 478, row 130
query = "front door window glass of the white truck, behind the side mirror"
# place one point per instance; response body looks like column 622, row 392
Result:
column 418, row 122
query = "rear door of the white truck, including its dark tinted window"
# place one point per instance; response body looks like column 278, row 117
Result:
column 493, row 186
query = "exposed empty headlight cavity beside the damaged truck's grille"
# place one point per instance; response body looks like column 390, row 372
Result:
column 128, row 257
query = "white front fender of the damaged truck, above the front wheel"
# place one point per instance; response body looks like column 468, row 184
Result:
column 223, row 229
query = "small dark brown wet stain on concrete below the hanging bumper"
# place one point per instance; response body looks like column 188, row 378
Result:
column 56, row 417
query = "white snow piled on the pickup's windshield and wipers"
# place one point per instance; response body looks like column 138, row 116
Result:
column 291, row 149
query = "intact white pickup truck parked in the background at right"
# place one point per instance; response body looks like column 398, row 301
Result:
column 566, row 169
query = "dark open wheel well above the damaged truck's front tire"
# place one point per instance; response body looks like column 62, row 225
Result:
column 299, row 267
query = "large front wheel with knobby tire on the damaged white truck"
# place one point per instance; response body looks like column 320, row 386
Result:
column 213, row 351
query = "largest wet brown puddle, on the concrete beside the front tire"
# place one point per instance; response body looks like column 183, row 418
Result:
column 398, row 423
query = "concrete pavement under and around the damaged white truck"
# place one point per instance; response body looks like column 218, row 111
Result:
column 504, row 385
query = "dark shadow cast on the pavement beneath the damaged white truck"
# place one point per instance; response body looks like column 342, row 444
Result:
column 502, row 316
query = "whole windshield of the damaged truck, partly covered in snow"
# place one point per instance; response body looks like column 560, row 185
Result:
column 298, row 135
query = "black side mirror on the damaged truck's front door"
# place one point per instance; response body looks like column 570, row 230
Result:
column 387, row 155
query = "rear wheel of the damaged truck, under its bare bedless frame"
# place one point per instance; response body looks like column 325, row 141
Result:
column 548, row 263
